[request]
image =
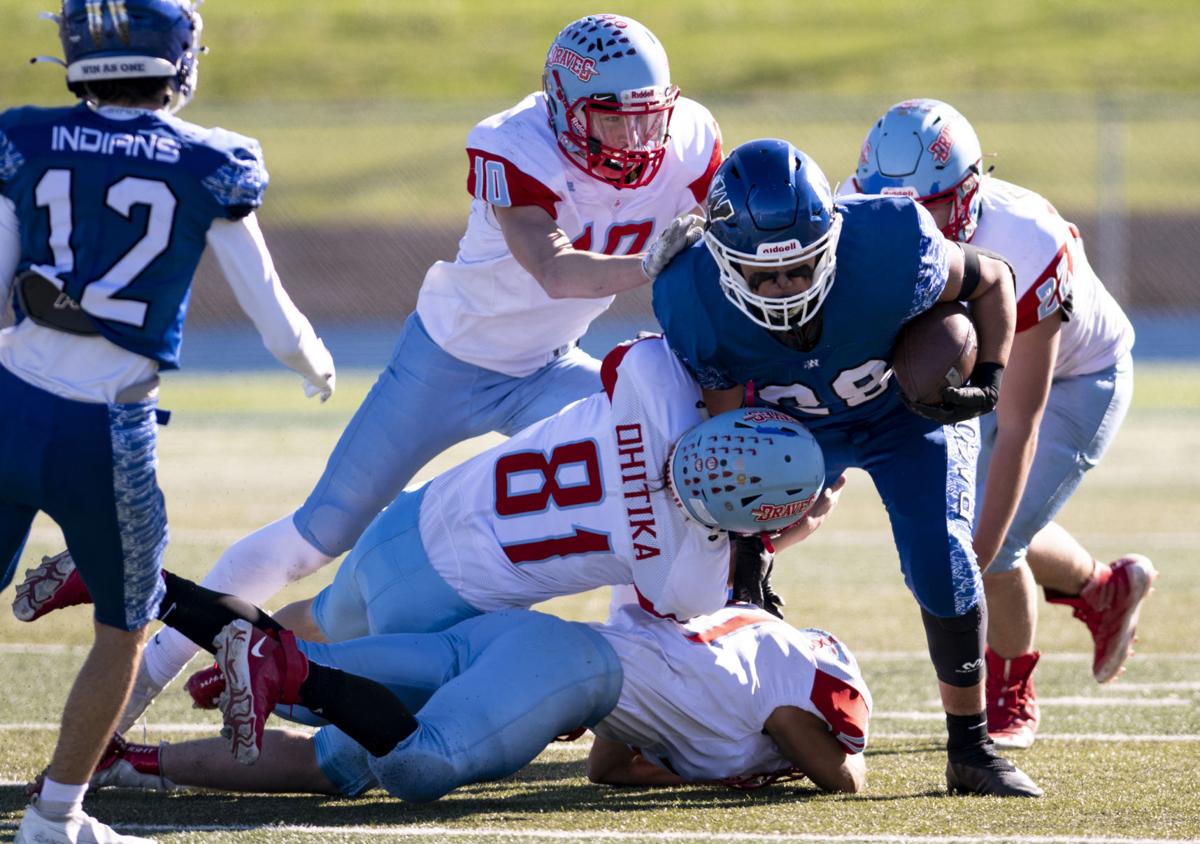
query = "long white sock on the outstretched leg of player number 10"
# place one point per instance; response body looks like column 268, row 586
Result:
column 256, row 568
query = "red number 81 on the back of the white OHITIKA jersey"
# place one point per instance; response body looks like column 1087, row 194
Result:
column 527, row 483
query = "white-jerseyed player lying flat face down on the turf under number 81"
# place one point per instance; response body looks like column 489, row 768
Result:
column 736, row 697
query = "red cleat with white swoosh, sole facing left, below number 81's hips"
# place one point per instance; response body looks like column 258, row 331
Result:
column 260, row 673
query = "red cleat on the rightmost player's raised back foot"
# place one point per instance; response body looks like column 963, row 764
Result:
column 1111, row 604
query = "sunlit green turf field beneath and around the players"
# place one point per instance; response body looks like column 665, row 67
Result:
column 1119, row 763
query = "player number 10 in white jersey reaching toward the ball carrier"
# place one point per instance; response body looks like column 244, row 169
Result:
column 571, row 188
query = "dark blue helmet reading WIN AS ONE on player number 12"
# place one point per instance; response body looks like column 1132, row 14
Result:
column 131, row 39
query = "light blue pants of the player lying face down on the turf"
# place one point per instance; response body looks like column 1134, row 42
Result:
column 497, row 691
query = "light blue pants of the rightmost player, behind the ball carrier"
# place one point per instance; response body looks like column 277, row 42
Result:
column 1082, row 420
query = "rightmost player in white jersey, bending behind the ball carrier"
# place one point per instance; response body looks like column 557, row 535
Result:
column 1067, row 388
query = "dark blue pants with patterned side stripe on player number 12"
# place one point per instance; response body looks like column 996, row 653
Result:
column 92, row 469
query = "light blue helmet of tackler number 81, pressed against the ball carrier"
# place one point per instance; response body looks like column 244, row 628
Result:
column 748, row 471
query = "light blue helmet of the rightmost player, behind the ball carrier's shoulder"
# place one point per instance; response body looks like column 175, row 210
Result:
column 927, row 151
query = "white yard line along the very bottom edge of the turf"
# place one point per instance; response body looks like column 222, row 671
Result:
column 445, row 833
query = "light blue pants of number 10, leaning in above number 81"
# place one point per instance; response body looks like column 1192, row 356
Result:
column 425, row 402
